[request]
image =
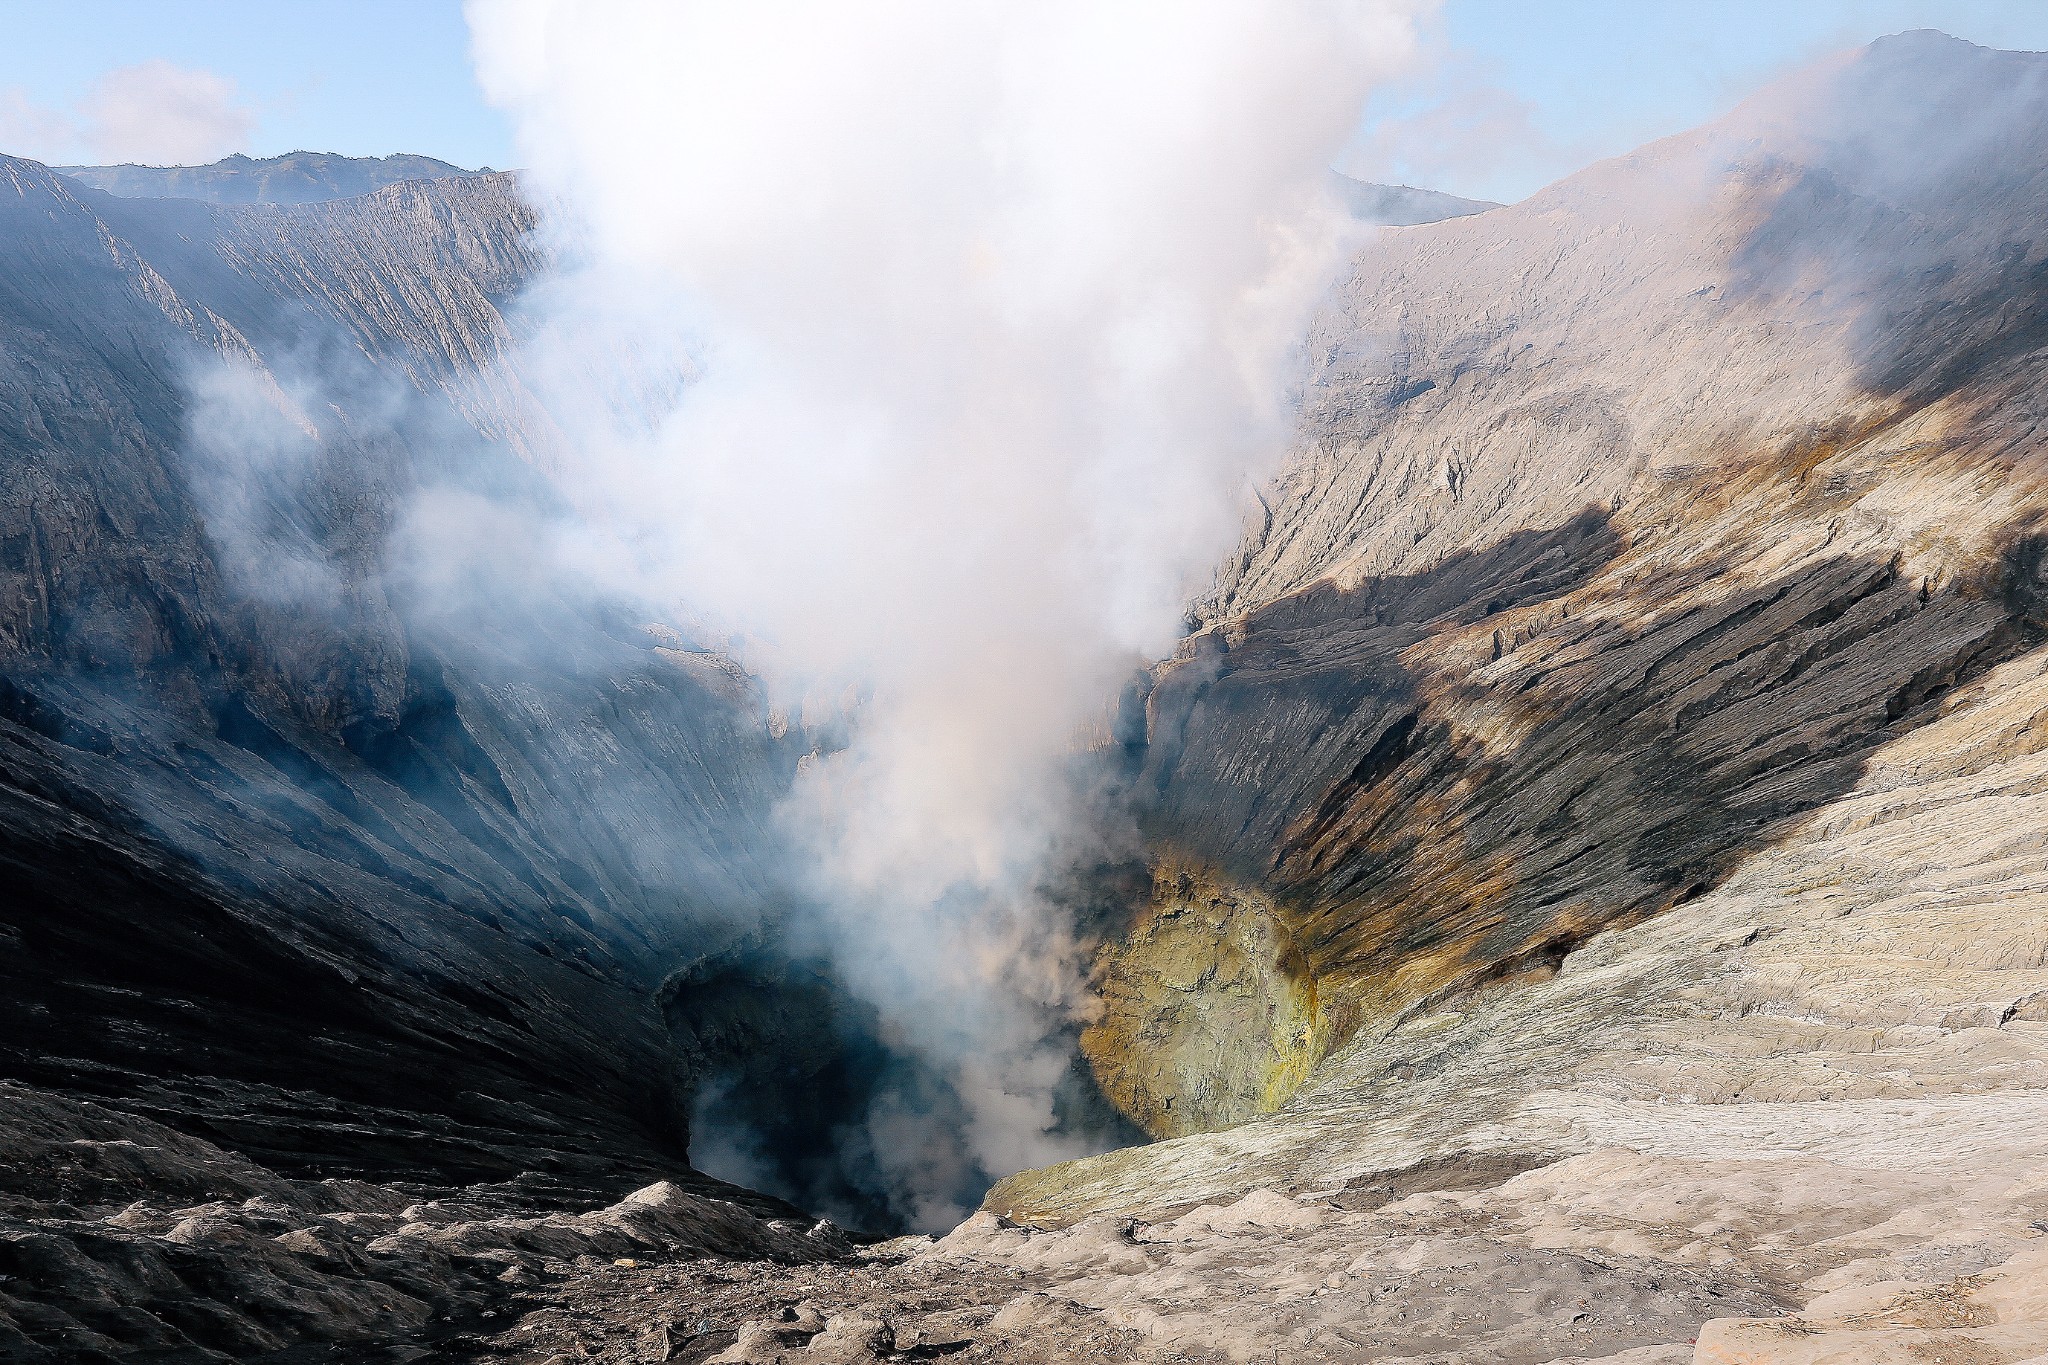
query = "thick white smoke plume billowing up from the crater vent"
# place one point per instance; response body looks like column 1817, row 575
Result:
column 992, row 312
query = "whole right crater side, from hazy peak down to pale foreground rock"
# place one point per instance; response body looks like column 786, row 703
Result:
column 1613, row 756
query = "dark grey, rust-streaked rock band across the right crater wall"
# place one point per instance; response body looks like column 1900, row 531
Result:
column 1461, row 775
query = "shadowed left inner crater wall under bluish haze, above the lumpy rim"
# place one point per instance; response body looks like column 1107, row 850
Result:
column 321, row 875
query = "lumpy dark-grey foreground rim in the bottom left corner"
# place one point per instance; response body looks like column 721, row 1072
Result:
column 124, row 1237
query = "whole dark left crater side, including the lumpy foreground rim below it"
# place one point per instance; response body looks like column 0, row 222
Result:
column 314, row 869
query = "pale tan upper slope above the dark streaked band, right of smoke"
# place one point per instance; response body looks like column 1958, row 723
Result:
column 1840, row 251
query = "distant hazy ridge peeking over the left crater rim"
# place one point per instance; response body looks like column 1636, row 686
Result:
column 292, row 179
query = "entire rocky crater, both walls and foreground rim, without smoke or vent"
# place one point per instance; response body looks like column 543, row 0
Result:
column 1596, row 867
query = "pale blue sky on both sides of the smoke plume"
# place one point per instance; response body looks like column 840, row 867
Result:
column 1517, row 93
